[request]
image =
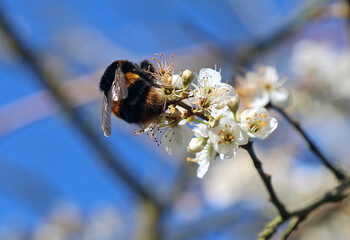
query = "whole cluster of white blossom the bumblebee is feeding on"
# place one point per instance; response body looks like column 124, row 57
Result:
column 212, row 109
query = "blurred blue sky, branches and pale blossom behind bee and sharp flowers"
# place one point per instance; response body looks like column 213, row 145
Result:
column 61, row 179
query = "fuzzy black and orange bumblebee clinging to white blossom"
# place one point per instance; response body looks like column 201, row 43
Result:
column 130, row 93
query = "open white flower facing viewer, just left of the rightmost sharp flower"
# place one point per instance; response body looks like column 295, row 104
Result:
column 226, row 137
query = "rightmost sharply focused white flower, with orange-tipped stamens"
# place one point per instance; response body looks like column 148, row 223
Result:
column 257, row 123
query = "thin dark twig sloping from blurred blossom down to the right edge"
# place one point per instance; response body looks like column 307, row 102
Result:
column 336, row 171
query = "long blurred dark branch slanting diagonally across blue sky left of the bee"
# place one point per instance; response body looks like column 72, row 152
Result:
column 48, row 79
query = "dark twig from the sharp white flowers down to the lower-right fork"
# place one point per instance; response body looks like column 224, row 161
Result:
column 267, row 181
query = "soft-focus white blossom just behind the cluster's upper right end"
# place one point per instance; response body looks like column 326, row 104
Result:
column 260, row 88
